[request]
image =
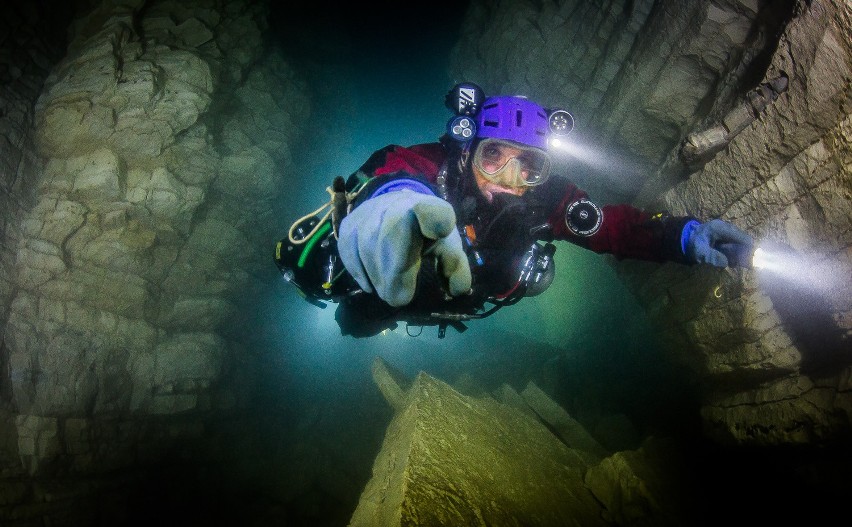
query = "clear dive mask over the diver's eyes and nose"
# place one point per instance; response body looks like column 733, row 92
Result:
column 510, row 164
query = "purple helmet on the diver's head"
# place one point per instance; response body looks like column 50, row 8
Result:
column 514, row 118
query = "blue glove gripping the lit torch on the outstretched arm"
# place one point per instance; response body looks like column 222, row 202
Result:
column 716, row 242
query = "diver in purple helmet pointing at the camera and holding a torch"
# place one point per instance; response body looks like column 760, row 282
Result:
column 446, row 232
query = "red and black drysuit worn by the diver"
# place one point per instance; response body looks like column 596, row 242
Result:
column 499, row 233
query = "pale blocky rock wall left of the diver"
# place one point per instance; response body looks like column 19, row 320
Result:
column 158, row 144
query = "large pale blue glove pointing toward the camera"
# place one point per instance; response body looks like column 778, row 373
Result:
column 381, row 244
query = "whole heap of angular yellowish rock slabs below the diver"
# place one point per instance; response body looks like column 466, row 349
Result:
column 452, row 459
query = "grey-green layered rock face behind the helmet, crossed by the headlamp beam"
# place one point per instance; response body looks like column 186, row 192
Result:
column 636, row 75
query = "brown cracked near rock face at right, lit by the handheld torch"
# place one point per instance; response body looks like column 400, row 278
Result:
column 772, row 344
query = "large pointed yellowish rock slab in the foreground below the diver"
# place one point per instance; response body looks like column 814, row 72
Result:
column 448, row 459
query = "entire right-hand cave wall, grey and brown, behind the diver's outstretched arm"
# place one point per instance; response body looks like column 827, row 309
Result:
column 640, row 77
